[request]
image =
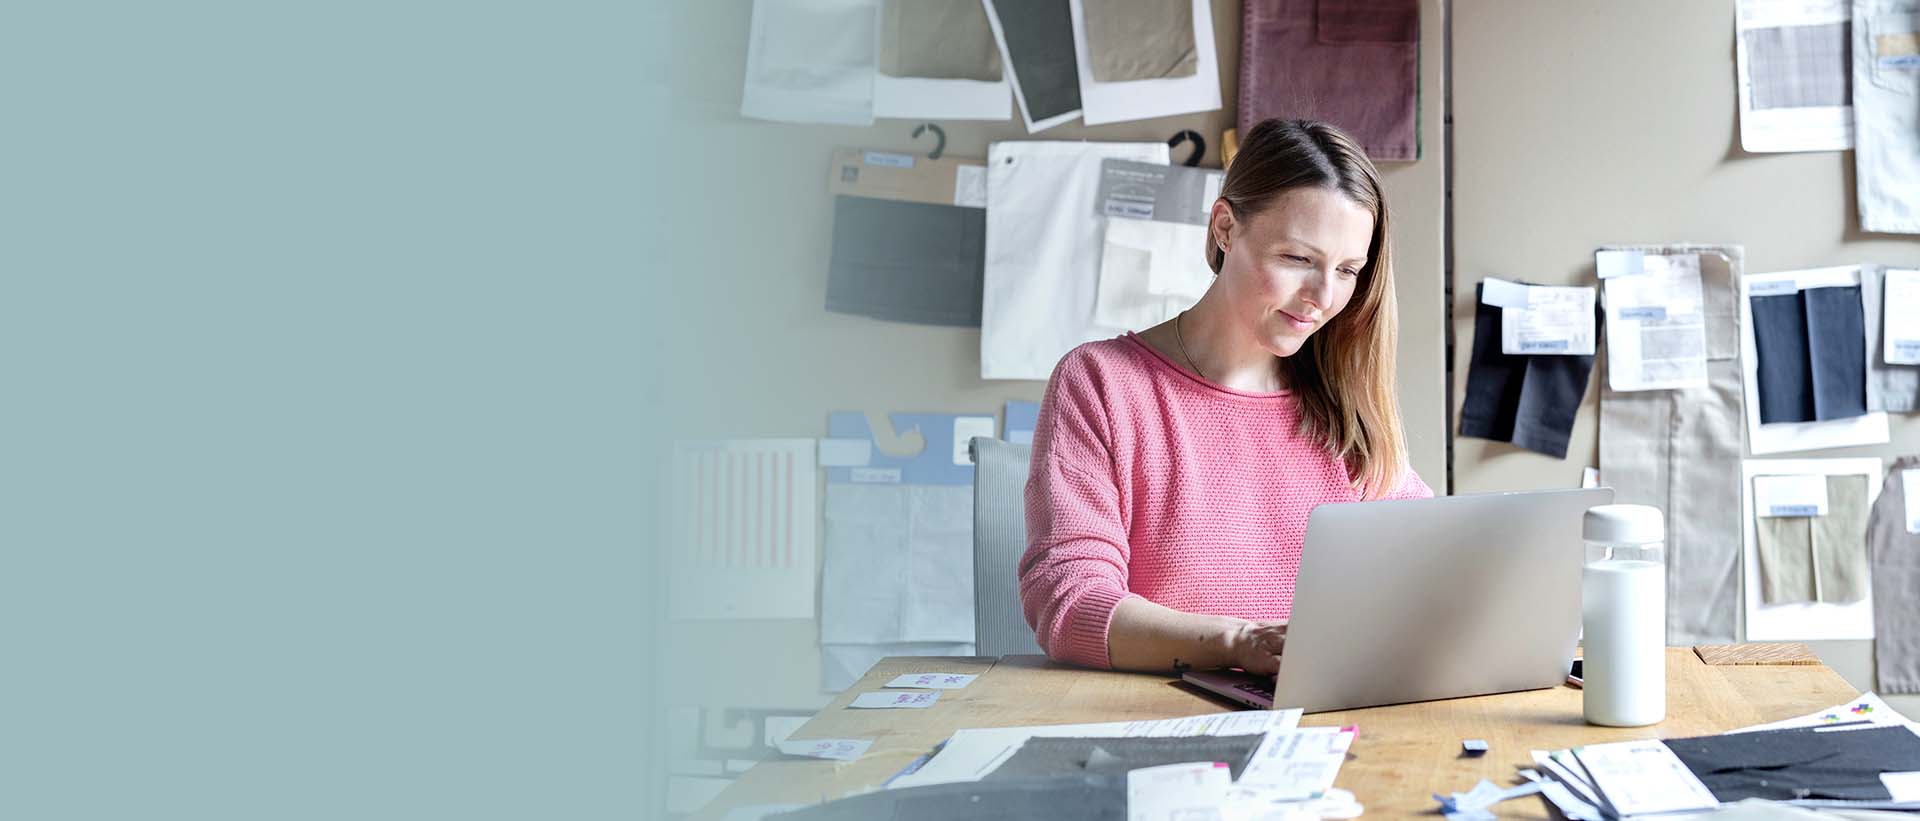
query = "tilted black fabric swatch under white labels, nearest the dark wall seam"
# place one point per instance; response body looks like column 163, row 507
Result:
column 1527, row 400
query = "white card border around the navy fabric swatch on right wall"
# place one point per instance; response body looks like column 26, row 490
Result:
column 1798, row 436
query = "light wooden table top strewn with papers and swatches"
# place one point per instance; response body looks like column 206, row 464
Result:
column 1401, row 757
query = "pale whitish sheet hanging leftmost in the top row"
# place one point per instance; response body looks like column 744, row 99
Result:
column 813, row 62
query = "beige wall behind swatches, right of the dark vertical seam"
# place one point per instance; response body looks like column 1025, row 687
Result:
column 1579, row 126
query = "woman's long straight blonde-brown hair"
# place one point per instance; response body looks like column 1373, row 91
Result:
column 1343, row 375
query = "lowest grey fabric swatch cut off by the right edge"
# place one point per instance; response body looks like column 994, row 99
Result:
column 1894, row 557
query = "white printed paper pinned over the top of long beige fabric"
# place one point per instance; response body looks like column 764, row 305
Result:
column 1656, row 325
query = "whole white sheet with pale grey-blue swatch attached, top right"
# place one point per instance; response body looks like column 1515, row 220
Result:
column 1790, row 60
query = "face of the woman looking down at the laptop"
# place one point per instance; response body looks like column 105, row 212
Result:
column 1293, row 268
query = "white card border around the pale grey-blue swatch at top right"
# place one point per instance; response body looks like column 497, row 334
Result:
column 1802, row 128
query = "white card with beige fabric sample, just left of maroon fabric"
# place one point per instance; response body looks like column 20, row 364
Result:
column 1145, row 59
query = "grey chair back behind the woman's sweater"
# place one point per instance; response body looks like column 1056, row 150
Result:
column 999, row 542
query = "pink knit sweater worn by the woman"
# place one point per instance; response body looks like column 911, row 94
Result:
column 1153, row 482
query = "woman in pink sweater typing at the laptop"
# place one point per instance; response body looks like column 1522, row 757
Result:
column 1174, row 469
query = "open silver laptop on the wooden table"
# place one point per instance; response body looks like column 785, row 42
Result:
column 1410, row 601
